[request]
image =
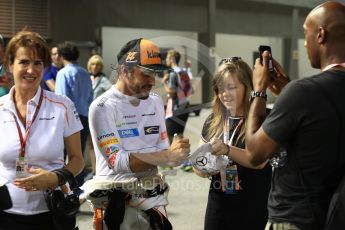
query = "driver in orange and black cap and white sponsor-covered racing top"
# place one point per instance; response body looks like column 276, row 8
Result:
column 128, row 131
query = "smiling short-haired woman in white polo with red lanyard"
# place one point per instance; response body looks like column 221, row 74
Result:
column 35, row 127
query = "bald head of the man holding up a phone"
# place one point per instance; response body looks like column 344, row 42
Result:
column 324, row 30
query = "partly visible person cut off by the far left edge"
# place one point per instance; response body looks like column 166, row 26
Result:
column 5, row 78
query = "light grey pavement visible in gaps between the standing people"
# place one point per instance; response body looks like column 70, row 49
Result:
column 188, row 192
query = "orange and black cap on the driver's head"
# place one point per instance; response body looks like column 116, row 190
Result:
column 141, row 52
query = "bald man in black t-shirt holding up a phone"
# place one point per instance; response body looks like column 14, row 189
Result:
column 307, row 120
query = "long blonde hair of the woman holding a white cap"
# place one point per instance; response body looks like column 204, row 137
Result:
column 243, row 73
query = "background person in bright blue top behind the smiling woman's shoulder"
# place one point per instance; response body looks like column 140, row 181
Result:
column 49, row 76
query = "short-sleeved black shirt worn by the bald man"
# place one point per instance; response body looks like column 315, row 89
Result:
column 304, row 121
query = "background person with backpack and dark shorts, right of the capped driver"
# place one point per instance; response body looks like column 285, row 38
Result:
column 177, row 120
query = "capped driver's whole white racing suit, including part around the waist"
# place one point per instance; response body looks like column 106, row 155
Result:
column 121, row 125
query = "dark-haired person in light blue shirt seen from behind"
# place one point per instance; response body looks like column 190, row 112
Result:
column 74, row 82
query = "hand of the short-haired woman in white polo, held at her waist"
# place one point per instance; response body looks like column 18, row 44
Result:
column 39, row 179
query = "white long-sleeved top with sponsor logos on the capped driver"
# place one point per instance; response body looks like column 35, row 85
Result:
column 119, row 127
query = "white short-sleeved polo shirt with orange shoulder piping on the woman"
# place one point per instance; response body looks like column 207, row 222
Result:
column 56, row 119
